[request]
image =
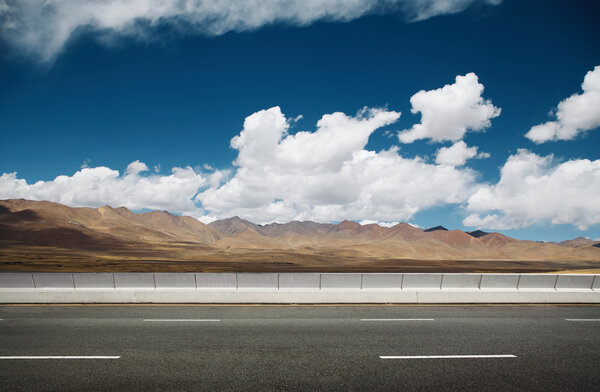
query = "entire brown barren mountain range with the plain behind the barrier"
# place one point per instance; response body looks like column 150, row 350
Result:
column 51, row 236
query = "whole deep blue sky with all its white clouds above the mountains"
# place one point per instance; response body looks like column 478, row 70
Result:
column 471, row 114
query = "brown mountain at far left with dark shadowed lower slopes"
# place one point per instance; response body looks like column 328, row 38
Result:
column 40, row 221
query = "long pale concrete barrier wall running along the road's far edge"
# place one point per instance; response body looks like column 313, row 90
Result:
column 48, row 287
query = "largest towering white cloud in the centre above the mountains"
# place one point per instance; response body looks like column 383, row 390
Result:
column 327, row 175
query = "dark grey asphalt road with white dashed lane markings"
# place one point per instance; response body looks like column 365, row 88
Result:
column 312, row 348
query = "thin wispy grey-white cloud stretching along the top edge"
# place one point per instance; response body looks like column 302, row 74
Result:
column 43, row 28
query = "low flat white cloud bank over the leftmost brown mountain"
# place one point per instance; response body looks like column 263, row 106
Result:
column 97, row 186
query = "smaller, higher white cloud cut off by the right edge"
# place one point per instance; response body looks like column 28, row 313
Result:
column 575, row 115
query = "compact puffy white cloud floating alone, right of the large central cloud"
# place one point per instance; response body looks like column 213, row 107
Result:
column 448, row 112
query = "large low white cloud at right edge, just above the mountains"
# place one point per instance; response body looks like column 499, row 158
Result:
column 534, row 190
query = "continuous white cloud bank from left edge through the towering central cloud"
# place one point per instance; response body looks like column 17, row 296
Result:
column 323, row 175
